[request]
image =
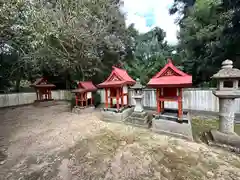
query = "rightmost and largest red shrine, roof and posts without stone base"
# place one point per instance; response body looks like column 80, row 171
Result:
column 169, row 84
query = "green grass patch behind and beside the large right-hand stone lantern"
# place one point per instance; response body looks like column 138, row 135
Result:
column 199, row 126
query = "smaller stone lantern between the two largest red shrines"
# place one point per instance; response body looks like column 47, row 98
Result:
column 138, row 96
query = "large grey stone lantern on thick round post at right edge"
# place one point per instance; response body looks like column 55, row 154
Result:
column 227, row 91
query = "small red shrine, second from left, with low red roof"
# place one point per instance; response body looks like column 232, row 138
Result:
column 83, row 94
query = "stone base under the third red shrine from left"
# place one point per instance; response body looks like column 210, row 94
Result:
column 114, row 116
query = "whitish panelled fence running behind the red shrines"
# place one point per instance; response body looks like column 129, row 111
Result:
column 193, row 99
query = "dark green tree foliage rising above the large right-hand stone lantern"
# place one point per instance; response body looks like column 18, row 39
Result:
column 209, row 34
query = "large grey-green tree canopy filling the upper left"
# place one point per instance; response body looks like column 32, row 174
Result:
column 60, row 38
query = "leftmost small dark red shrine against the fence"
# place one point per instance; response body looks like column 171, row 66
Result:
column 43, row 89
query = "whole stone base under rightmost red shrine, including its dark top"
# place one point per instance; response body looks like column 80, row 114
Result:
column 168, row 123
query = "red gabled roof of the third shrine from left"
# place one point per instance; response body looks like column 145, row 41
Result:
column 118, row 77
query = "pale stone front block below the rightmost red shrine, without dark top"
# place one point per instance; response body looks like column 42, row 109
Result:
column 182, row 130
